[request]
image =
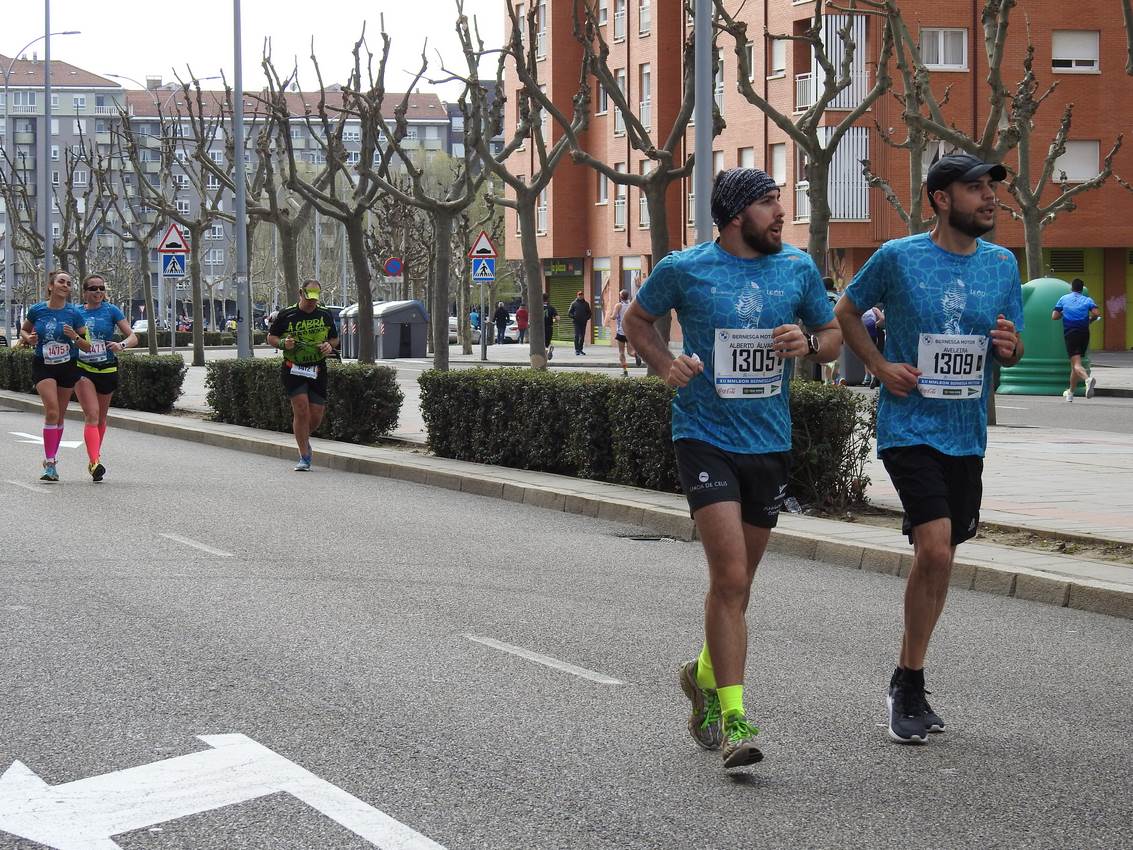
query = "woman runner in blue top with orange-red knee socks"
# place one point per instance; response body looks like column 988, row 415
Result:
column 99, row 368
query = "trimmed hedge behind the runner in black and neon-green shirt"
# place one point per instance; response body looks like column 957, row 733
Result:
column 364, row 402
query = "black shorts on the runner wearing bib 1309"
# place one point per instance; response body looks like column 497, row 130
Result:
column 934, row 486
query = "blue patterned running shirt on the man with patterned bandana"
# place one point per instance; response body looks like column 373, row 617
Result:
column 715, row 292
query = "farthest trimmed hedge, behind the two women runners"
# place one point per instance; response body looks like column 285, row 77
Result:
column 144, row 382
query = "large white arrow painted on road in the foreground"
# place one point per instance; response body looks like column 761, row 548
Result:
column 86, row 814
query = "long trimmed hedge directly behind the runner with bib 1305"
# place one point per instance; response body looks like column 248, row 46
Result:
column 618, row 430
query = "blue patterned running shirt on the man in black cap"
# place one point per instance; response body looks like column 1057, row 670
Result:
column 925, row 290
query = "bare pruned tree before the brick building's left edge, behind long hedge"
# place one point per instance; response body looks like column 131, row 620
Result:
column 526, row 189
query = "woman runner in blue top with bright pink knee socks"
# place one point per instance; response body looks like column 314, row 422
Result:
column 53, row 328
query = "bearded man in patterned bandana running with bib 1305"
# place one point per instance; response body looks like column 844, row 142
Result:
column 739, row 301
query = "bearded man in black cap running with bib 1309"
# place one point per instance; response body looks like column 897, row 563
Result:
column 952, row 303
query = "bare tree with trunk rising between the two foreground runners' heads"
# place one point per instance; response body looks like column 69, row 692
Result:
column 817, row 140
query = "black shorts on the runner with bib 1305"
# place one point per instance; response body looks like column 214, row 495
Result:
column 757, row 482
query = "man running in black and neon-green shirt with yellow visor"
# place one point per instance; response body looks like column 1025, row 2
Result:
column 308, row 336
